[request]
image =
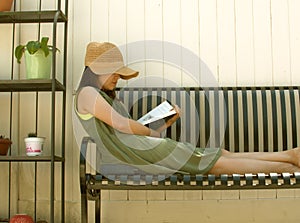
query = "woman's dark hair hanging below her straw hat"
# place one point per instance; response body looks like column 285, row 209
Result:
column 89, row 78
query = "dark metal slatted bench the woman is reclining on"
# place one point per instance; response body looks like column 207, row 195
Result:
column 240, row 119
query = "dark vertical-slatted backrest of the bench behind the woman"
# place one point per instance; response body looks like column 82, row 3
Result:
column 240, row 119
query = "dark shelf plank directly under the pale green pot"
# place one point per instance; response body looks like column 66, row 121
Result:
column 30, row 85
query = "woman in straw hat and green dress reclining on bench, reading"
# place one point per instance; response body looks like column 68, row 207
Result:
column 128, row 142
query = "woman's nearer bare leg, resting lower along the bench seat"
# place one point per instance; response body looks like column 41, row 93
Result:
column 229, row 165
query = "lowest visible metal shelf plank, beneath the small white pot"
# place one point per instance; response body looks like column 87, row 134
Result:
column 30, row 159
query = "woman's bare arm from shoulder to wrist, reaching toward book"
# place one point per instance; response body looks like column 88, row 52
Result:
column 90, row 101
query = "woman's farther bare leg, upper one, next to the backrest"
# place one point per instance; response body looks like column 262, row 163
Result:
column 291, row 156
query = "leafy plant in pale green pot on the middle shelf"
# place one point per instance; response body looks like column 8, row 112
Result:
column 38, row 58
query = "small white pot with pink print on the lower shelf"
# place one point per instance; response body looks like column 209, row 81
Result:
column 34, row 144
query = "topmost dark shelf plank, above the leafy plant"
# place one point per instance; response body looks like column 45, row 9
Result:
column 31, row 16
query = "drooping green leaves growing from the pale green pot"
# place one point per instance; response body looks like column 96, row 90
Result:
column 32, row 47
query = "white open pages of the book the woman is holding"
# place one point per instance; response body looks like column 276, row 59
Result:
column 161, row 111
